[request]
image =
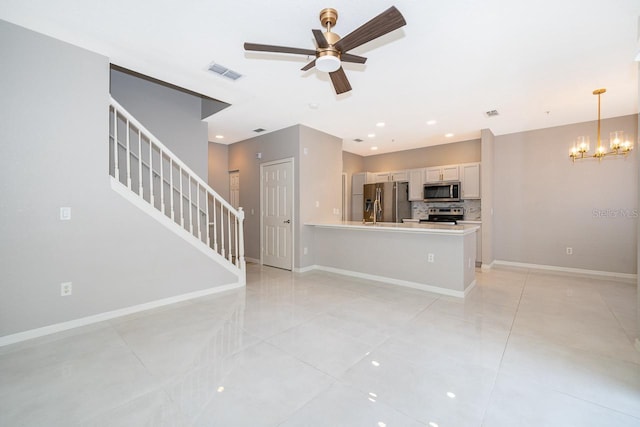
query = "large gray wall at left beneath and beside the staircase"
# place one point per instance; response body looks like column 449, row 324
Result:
column 54, row 153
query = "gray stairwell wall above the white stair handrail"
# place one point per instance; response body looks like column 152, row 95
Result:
column 171, row 115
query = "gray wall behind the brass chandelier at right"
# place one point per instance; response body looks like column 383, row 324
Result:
column 544, row 203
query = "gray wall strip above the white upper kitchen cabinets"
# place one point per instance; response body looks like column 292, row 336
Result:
column 436, row 155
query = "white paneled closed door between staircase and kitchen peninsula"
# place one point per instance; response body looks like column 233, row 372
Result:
column 277, row 214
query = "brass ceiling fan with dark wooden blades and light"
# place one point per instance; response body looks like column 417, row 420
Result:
column 332, row 50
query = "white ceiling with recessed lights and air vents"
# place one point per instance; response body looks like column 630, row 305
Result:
column 536, row 63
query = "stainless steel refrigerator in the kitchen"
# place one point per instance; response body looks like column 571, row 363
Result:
column 394, row 201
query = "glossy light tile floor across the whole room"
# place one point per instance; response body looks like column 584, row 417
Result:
column 525, row 348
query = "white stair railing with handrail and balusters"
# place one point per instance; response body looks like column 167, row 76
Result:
column 146, row 167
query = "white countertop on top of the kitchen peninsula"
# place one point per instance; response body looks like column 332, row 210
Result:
column 425, row 228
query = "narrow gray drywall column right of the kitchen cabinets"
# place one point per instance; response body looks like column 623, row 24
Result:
column 486, row 188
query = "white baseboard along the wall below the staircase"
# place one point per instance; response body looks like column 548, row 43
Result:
column 76, row 323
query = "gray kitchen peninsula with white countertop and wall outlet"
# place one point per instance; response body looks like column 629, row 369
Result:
column 432, row 257
